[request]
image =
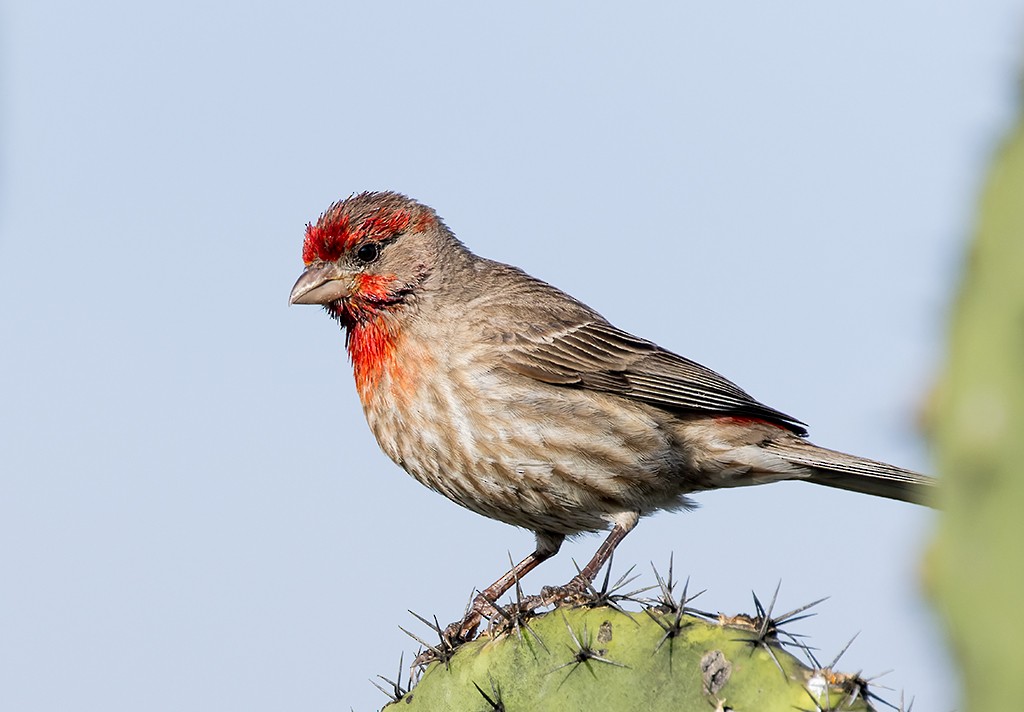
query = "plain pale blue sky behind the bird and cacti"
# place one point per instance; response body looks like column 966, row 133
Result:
column 193, row 513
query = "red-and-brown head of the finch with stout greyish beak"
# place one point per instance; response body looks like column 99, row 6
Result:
column 368, row 256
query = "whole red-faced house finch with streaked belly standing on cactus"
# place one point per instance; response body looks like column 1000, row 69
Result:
column 525, row 405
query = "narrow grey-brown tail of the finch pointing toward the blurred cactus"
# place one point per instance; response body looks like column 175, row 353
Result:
column 838, row 470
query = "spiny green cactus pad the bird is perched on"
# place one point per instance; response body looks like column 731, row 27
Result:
column 606, row 659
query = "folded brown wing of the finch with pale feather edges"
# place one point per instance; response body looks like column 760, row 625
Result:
column 598, row 356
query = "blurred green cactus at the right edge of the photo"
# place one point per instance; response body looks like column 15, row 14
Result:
column 977, row 563
